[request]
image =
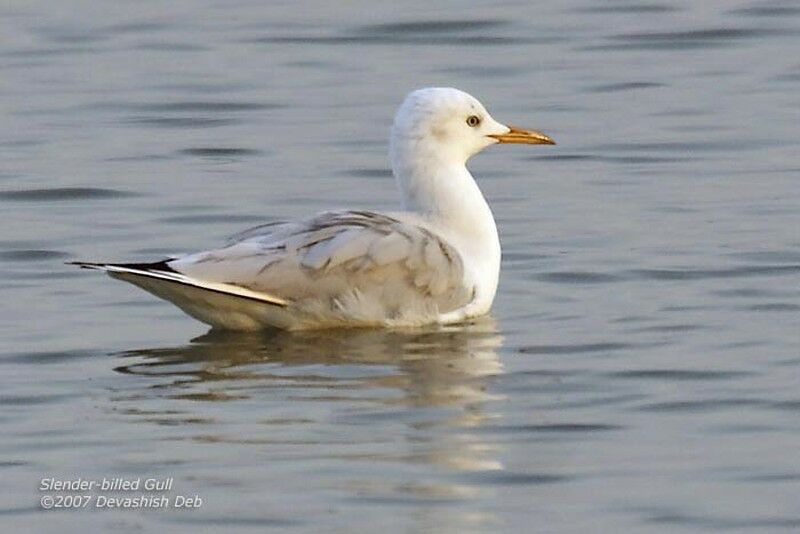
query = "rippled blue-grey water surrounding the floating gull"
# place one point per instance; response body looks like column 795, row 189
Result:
column 640, row 371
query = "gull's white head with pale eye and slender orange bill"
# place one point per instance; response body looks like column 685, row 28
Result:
column 452, row 125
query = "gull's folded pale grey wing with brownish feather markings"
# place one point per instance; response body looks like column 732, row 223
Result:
column 336, row 256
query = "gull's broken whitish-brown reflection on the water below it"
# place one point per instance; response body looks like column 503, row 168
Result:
column 433, row 383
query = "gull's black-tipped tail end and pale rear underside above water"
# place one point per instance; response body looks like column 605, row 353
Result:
column 215, row 303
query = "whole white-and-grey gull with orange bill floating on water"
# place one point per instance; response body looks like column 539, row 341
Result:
column 435, row 262
